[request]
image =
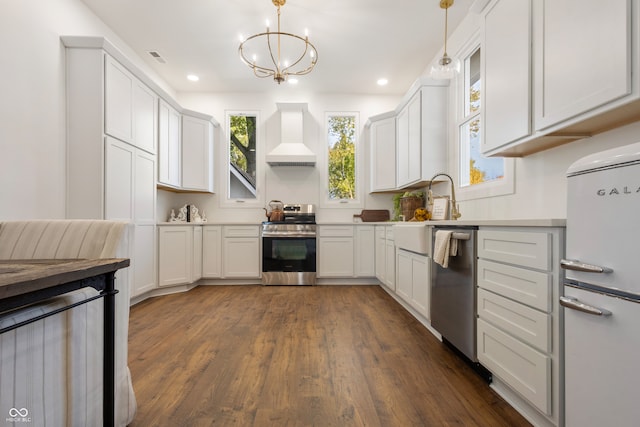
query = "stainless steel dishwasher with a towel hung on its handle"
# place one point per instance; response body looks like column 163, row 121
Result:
column 453, row 293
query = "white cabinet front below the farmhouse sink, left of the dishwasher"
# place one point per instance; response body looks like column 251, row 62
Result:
column 412, row 280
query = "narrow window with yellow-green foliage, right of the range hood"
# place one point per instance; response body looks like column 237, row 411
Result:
column 342, row 174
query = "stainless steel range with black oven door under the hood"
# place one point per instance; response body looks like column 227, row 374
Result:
column 289, row 247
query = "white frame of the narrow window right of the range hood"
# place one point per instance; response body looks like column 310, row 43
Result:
column 358, row 200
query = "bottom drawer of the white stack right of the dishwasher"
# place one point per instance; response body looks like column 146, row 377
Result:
column 523, row 368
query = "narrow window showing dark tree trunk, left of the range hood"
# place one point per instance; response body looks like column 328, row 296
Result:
column 242, row 176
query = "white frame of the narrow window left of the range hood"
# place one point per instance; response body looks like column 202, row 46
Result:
column 258, row 201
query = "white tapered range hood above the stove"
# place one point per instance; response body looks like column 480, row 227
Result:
column 291, row 151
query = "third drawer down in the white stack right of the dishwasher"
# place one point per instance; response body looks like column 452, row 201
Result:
column 525, row 323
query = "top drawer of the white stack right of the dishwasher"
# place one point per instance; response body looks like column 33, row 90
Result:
column 526, row 249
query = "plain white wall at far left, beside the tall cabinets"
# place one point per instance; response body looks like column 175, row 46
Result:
column 32, row 101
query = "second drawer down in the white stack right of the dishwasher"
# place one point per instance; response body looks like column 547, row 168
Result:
column 532, row 288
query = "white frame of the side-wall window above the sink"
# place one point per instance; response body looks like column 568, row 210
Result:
column 504, row 186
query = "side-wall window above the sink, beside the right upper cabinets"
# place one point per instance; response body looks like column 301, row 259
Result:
column 479, row 176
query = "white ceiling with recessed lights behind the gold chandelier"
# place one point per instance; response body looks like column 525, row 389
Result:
column 358, row 41
